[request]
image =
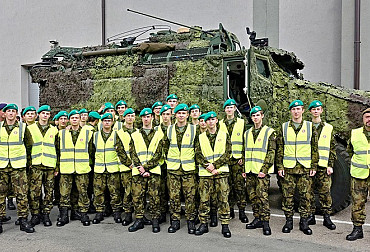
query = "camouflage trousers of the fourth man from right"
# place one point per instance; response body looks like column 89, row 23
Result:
column 258, row 193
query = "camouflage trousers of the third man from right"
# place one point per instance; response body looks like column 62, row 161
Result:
column 301, row 182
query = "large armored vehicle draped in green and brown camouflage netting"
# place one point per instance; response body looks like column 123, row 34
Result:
column 203, row 67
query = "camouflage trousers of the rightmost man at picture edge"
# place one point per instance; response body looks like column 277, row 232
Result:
column 359, row 192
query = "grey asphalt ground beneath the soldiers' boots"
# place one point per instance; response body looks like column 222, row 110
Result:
column 109, row 236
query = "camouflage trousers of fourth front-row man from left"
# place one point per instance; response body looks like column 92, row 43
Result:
column 102, row 181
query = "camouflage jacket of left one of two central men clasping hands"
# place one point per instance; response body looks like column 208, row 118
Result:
column 157, row 155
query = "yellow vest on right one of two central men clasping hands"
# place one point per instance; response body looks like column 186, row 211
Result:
column 213, row 155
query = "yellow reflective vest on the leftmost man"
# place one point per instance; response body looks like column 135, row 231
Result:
column 12, row 148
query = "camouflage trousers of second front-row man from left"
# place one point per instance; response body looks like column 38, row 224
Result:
column 39, row 178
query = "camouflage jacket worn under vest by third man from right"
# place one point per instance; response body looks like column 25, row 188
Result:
column 298, row 169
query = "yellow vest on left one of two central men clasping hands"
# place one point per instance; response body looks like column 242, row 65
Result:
column 145, row 154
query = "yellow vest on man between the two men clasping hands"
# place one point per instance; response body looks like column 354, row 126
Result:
column 186, row 156
